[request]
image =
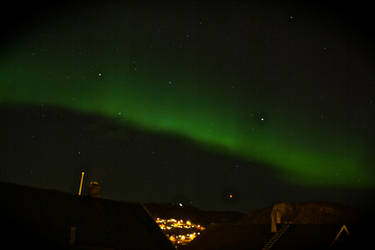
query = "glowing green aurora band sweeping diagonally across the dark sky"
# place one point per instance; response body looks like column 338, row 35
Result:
column 193, row 106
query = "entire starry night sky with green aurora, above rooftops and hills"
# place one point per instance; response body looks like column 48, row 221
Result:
column 190, row 101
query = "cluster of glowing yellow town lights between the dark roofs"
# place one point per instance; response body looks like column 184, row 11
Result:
column 188, row 231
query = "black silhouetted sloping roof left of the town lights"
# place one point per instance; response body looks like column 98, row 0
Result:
column 48, row 219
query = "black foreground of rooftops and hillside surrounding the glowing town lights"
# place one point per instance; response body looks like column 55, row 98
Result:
column 47, row 219
